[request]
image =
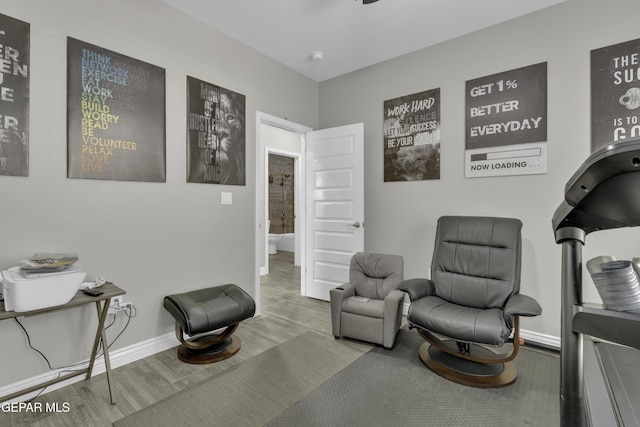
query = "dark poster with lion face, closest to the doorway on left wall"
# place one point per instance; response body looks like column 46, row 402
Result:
column 215, row 135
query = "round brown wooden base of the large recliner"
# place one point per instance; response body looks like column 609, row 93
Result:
column 467, row 372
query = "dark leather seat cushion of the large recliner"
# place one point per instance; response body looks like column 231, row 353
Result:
column 483, row 326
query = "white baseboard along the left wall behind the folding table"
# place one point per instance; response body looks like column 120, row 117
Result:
column 118, row 358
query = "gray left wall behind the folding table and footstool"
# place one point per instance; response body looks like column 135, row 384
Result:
column 152, row 239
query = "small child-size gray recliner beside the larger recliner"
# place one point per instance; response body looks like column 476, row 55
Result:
column 369, row 307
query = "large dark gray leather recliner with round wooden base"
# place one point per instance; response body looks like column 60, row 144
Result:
column 472, row 303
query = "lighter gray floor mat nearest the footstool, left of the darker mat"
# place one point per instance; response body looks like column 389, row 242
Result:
column 254, row 391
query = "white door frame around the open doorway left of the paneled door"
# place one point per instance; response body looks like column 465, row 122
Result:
column 285, row 138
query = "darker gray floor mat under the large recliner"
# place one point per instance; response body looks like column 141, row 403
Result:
column 385, row 388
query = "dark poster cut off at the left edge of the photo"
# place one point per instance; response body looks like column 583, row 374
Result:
column 14, row 96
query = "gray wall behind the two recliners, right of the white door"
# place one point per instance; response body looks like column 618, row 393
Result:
column 400, row 216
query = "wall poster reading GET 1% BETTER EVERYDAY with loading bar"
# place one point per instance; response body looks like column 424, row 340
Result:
column 506, row 123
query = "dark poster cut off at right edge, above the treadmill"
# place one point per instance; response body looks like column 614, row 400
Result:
column 615, row 93
